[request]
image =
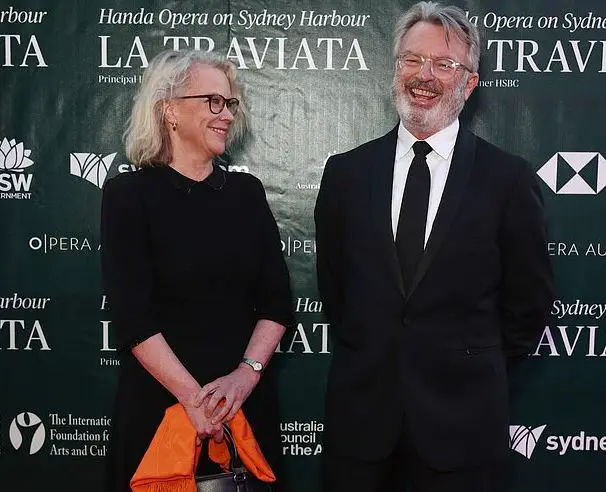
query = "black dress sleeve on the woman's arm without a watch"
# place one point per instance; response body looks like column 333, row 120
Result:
column 126, row 262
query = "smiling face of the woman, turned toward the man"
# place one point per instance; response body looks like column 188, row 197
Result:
column 199, row 131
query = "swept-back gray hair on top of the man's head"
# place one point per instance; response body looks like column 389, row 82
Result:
column 451, row 18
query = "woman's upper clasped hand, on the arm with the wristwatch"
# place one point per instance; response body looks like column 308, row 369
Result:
column 223, row 397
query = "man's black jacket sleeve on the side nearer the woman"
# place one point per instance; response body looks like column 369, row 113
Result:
column 328, row 245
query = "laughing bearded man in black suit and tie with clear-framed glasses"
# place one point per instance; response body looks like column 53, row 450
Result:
column 433, row 268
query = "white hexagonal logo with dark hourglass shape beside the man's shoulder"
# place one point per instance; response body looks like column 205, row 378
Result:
column 575, row 173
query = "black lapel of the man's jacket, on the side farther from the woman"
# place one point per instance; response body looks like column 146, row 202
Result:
column 458, row 176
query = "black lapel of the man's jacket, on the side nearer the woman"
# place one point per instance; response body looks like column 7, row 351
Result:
column 381, row 188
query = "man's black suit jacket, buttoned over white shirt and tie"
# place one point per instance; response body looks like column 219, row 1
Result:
column 435, row 355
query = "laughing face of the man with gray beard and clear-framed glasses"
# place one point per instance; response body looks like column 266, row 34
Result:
column 427, row 103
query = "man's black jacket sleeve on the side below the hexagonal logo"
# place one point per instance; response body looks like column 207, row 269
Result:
column 527, row 285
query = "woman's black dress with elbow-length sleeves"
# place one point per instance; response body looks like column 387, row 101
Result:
column 199, row 262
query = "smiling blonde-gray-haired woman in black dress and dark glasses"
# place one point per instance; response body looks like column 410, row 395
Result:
column 192, row 266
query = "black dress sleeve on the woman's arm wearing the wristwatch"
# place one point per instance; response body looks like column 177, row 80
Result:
column 273, row 297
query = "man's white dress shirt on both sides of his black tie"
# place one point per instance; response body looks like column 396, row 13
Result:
column 438, row 161
